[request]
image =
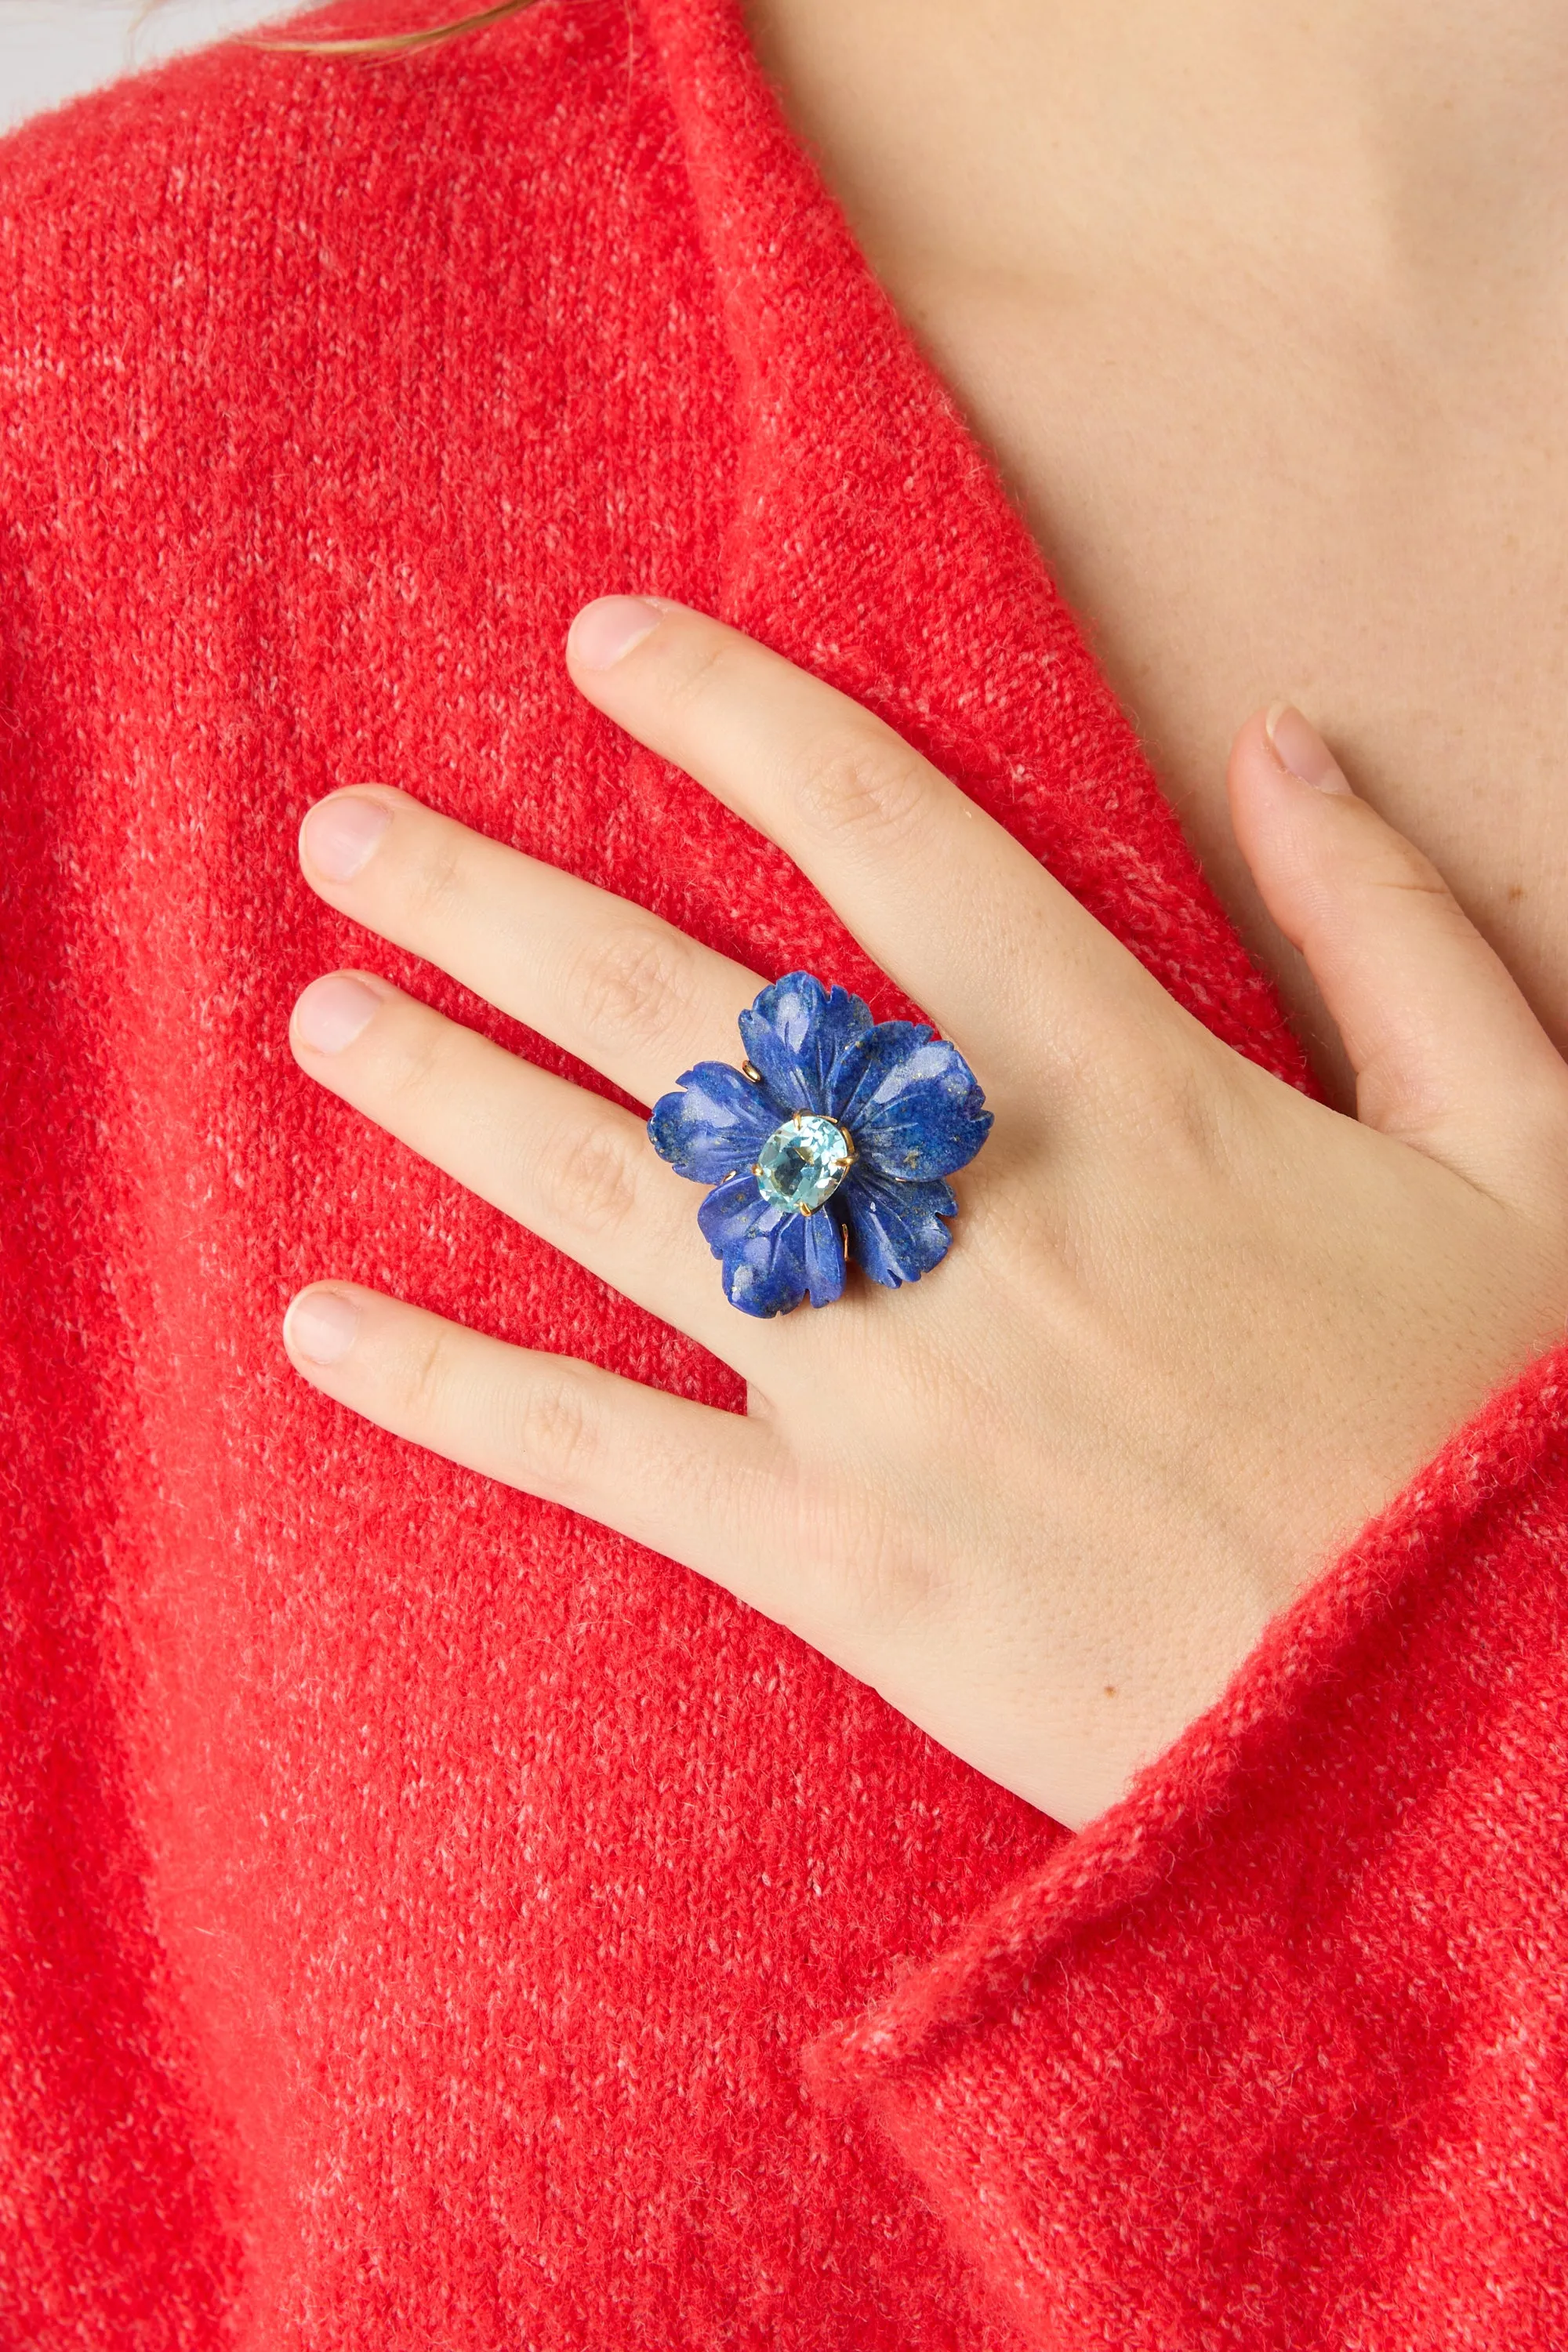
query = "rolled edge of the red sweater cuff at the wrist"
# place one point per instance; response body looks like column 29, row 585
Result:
column 1155, row 1831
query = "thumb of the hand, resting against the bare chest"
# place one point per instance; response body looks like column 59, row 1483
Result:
column 1447, row 1053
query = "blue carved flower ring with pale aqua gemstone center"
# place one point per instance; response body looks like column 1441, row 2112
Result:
column 833, row 1144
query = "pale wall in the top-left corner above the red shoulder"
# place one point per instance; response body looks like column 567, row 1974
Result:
column 55, row 48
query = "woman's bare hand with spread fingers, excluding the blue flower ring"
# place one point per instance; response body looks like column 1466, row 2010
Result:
column 1193, row 1328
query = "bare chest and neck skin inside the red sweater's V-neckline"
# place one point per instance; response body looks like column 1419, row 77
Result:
column 1264, row 314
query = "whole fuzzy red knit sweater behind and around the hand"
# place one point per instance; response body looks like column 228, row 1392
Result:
column 429, row 1920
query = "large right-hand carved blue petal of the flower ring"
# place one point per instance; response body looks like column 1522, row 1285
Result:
column 911, row 1102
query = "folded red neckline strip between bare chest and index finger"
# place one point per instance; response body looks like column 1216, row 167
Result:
column 876, row 544
